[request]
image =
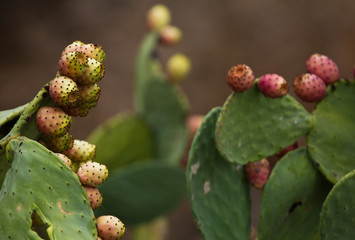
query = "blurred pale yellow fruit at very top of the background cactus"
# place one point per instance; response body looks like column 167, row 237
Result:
column 158, row 17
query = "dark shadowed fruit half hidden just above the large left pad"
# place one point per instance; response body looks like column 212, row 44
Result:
column 58, row 144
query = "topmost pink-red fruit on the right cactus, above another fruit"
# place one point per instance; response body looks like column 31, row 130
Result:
column 323, row 67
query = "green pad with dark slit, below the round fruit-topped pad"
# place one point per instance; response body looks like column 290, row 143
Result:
column 292, row 199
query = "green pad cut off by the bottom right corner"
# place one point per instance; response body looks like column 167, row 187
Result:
column 337, row 216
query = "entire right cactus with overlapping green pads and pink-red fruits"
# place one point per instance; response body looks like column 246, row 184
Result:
column 307, row 195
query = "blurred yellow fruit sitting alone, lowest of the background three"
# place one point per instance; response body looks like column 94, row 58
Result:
column 178, row 67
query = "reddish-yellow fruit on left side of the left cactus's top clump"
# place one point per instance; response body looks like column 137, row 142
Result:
column 73, row 65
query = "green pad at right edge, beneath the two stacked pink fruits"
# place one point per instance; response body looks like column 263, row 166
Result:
column 331, row 142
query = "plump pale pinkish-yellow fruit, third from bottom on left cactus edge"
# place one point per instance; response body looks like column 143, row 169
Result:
column 92, row 173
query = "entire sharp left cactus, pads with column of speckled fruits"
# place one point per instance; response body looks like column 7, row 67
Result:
column 38, row 153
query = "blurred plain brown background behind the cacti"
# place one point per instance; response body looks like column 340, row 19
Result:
column 270, row 36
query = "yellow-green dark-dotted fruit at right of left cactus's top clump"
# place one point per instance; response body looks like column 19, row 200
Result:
column 94, row 72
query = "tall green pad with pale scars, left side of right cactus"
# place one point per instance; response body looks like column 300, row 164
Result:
column 218, row 191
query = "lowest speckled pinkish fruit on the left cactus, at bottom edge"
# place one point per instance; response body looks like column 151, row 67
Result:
column 110, row 227
